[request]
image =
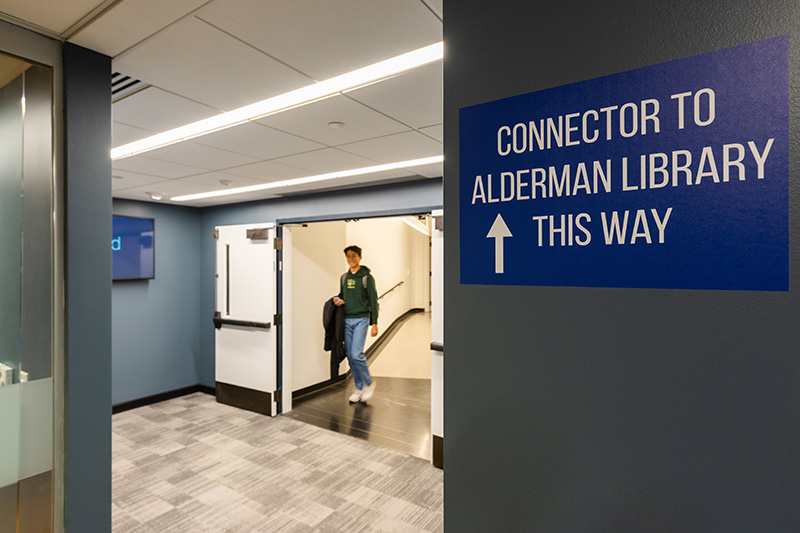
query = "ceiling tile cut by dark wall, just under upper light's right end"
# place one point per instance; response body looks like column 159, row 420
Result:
column 413, row 98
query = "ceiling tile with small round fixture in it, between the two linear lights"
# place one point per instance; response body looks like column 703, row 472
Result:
column 311, row 121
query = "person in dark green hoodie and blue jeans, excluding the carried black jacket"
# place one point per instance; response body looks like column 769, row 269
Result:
column 360, row 299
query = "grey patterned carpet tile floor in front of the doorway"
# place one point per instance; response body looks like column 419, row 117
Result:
column 193, row 465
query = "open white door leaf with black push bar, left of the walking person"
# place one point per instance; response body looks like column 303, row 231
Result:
column 246, row 339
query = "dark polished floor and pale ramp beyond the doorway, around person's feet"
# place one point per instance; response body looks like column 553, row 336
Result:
column 399, row 415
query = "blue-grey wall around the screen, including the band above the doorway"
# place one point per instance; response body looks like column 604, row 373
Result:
column 163, row 336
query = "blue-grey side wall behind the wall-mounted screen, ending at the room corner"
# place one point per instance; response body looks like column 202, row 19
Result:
column 156, row 323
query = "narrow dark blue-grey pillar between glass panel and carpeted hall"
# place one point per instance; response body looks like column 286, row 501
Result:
column 87, row 416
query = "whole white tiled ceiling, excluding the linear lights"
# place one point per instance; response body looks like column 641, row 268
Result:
column 198, row 58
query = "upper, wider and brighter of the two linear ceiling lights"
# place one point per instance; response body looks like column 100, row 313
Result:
column 283, row 102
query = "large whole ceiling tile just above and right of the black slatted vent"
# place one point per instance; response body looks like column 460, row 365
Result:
column 200, row 62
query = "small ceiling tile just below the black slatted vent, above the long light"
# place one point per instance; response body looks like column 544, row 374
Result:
column 156, row 110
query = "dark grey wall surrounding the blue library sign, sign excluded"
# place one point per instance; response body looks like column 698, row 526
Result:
column 572, row 409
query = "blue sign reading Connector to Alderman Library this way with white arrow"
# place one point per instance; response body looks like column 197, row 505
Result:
column 669, row 176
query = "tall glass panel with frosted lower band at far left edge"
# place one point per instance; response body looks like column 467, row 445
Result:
column 26, row 281
